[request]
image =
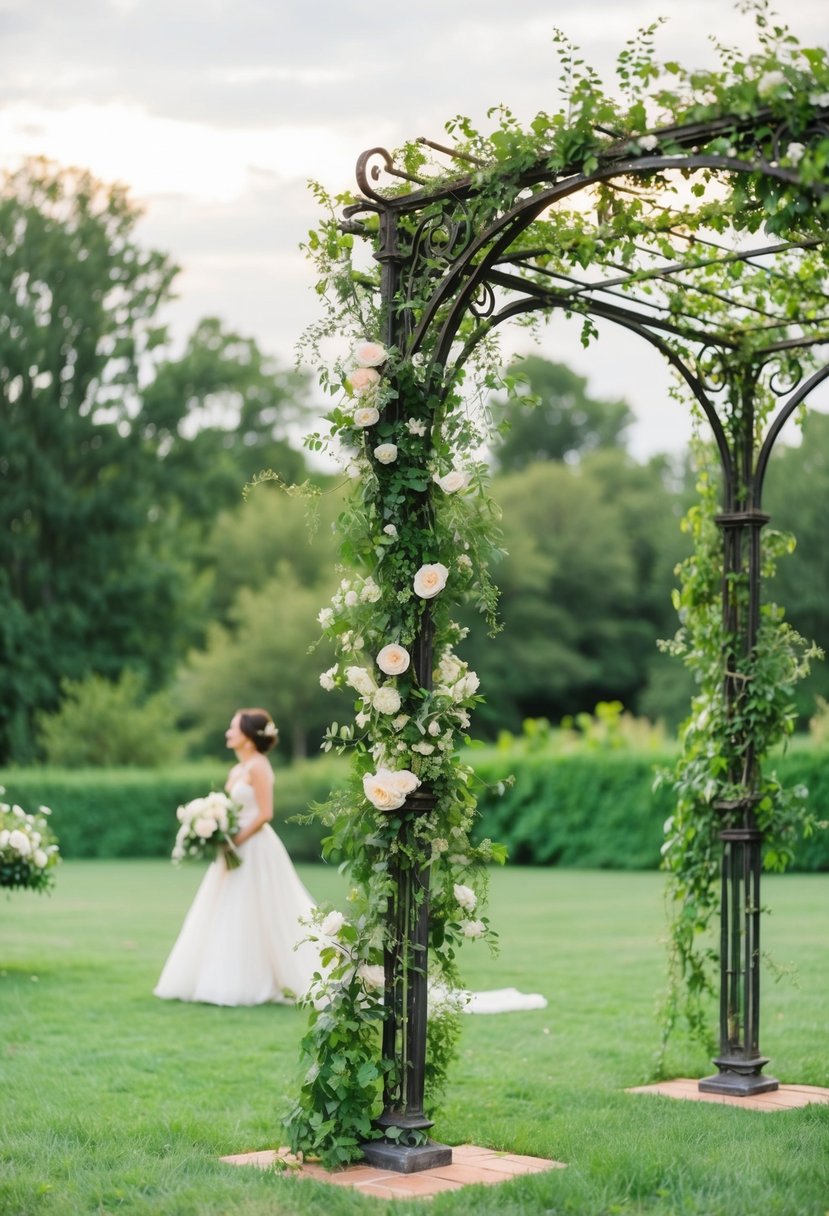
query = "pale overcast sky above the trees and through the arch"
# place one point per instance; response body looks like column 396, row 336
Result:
column 218, row 112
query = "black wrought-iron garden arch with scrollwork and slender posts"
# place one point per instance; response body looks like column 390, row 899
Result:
column 465, row 266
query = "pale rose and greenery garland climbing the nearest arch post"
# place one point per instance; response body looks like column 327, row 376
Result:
column 419, row 536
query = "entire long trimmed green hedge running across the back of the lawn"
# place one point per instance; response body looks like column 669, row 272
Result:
column 590, row 810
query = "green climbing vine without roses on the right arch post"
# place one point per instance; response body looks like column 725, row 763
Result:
column 726, row 739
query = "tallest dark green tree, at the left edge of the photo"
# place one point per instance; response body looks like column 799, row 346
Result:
column 82, row 570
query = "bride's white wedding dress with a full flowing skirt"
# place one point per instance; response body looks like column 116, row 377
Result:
column 238, row 943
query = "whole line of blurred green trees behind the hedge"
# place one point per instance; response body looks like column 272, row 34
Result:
column 144, row 596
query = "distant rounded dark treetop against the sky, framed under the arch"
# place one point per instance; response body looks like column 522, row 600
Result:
column 551, row 416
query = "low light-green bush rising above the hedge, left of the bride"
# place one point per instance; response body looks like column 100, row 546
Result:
column 111, row 723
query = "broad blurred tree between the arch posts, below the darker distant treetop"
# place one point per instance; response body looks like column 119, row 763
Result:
column 588, row 578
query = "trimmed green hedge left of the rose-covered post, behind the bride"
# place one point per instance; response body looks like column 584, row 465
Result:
column 131, row 813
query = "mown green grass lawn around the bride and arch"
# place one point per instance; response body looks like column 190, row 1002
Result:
column 116, row 1102
